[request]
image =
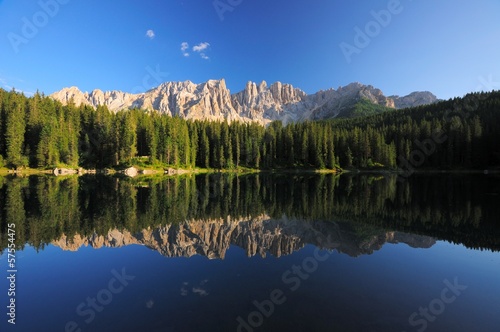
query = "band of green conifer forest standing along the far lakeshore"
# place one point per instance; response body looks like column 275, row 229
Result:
column 41, row 132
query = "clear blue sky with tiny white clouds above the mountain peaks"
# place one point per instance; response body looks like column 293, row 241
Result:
column 449, row 47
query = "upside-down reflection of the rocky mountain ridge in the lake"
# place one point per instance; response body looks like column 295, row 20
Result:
column 256, row 235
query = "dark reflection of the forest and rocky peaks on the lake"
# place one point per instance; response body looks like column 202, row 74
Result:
column 205, row 214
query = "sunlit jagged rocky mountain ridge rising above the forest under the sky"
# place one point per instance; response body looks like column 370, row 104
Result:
column 261, row 103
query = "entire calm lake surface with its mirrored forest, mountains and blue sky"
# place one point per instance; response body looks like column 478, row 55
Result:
column 252, row 253
